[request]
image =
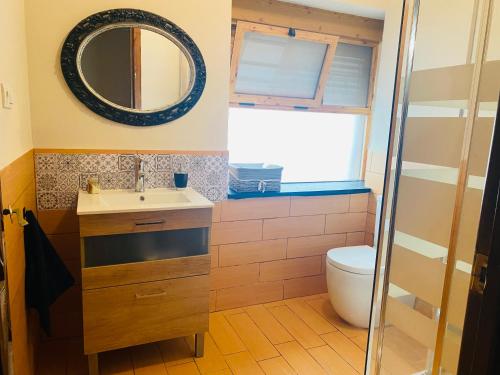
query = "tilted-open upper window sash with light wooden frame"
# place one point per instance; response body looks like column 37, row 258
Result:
column 278, row 66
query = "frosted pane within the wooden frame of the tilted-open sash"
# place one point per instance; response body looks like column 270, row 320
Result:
column 279, row 66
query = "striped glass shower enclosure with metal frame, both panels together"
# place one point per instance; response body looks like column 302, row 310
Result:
column 434, row 191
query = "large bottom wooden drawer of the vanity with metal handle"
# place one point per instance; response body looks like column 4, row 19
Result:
column 135, row 314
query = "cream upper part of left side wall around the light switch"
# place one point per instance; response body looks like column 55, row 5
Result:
column 15, row 129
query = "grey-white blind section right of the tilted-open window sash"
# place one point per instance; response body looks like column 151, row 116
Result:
column 349, row 79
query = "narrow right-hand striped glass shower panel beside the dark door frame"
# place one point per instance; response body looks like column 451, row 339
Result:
column 468, row 221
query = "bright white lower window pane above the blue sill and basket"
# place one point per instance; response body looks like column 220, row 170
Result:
column 310, row 146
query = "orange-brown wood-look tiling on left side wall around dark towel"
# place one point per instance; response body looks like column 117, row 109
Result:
column 17, row 184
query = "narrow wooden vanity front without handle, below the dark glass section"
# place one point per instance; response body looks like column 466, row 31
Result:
column 131, row 273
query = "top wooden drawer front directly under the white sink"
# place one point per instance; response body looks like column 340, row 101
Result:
column 136, row 222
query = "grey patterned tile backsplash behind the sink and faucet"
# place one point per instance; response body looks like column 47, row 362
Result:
column 59, row 176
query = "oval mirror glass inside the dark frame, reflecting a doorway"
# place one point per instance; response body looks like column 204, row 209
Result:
column 135, row 68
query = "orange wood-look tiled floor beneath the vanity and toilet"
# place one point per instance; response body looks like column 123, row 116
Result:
column 295, row 336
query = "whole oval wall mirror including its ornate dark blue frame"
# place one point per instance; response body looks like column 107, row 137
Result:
column 133, row 67
